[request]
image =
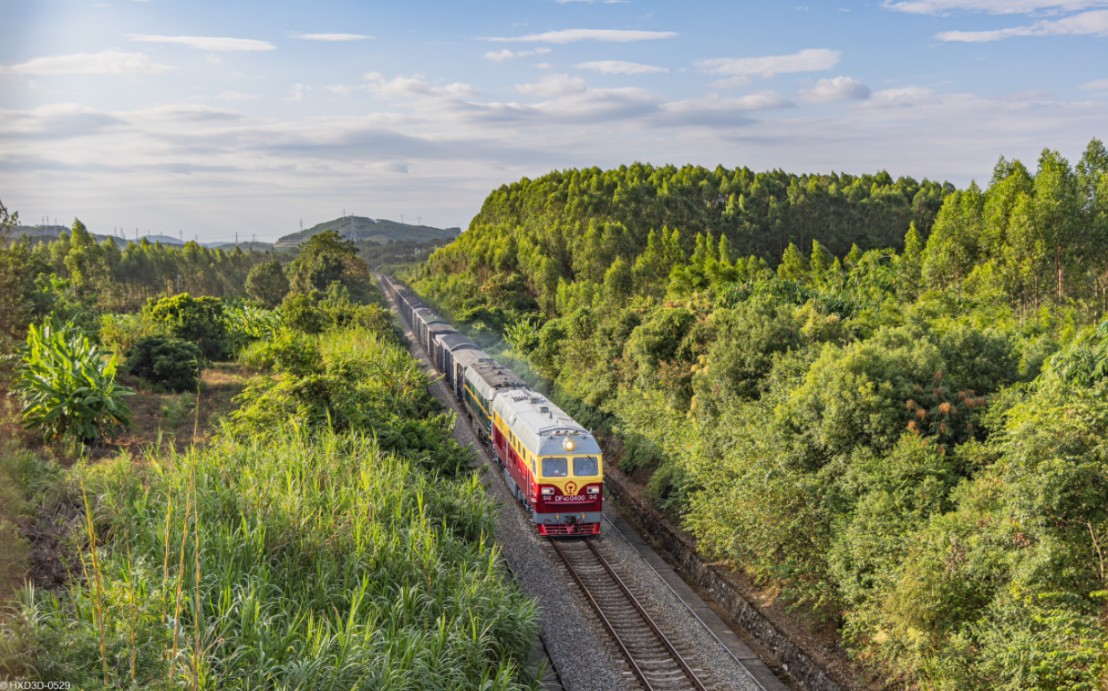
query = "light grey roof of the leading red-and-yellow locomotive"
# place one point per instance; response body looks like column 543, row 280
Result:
column 543, row 428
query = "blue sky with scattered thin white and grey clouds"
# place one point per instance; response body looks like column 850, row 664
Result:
column 202, row 119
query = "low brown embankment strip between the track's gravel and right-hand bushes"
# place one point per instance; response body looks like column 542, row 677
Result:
column 772, row 643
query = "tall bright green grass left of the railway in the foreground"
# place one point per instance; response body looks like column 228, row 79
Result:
column 300, row 556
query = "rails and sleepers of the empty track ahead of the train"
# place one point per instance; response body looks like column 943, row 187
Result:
column 654, row 661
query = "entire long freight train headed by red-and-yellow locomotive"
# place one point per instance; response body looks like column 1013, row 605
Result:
column 553, row 466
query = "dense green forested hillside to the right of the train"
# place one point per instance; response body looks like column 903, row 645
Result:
column 887, row 401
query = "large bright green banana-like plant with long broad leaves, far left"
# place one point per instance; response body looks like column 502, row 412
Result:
column 66, row 387
